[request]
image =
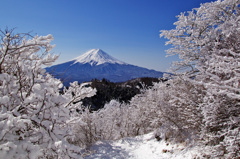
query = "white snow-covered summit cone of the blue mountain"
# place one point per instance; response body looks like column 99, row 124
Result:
column 96, row 57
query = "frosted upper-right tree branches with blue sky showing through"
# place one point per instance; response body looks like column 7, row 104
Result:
column 196, row 30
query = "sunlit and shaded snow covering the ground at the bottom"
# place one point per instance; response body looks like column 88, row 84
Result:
column 141, row 147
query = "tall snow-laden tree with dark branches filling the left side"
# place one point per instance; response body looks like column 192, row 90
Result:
column 33, row 115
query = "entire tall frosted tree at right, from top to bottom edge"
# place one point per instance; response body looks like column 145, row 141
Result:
column 207, row 41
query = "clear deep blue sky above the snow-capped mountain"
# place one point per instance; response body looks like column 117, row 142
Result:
column 126, row 29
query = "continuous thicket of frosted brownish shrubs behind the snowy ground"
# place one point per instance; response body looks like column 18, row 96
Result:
column 172, row 108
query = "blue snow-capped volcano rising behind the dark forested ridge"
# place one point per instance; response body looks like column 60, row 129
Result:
column 96, row 64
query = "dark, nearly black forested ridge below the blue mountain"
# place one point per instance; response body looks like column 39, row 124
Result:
column 122, row 92
